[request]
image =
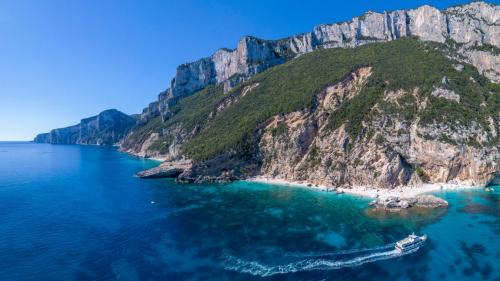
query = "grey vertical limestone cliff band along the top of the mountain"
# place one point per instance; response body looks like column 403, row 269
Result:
column 471, row 26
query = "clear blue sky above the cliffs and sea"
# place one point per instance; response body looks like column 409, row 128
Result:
column 64, row 60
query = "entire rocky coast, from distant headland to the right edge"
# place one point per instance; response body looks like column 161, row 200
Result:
column 390, row 99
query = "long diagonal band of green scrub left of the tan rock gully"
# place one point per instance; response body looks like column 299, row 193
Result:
column 282, row 89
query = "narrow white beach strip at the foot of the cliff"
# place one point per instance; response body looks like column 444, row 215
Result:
column 369, row 192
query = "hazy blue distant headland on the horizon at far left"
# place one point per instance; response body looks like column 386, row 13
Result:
column 106, row 128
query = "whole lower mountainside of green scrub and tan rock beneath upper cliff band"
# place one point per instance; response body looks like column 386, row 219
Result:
column 387, row 114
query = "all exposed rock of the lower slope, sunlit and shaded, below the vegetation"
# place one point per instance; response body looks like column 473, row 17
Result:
column 389, row 151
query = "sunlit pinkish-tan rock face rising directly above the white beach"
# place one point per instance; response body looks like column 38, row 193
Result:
column 389, row 151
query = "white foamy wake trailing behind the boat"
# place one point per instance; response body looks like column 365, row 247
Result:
column 259, row 269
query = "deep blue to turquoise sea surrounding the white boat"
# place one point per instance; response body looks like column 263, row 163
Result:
column 77, row 213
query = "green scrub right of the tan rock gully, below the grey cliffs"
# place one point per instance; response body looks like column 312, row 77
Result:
column 409, row 64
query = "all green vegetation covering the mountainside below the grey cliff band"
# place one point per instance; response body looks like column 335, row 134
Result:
column 401, row 64
